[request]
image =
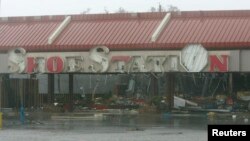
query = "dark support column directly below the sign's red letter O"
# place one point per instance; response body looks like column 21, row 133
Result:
column 51, row 91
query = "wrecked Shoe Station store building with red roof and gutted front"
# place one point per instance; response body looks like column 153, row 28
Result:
column 150, row 62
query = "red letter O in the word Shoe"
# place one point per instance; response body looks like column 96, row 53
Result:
column 55, row 64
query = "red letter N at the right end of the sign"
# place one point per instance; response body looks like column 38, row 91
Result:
column 220, row 64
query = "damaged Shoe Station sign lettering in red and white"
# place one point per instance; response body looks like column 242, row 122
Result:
column 101, row 60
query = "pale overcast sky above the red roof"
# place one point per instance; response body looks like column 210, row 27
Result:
column 66, row 7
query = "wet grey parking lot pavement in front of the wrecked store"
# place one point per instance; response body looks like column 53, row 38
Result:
column 164, row 127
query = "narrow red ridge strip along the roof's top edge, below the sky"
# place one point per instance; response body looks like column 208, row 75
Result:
column 112, row 16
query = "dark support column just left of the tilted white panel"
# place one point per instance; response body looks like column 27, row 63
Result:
column 170, row 90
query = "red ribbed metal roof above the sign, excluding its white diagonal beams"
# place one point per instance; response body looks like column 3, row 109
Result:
column 129, row 31
